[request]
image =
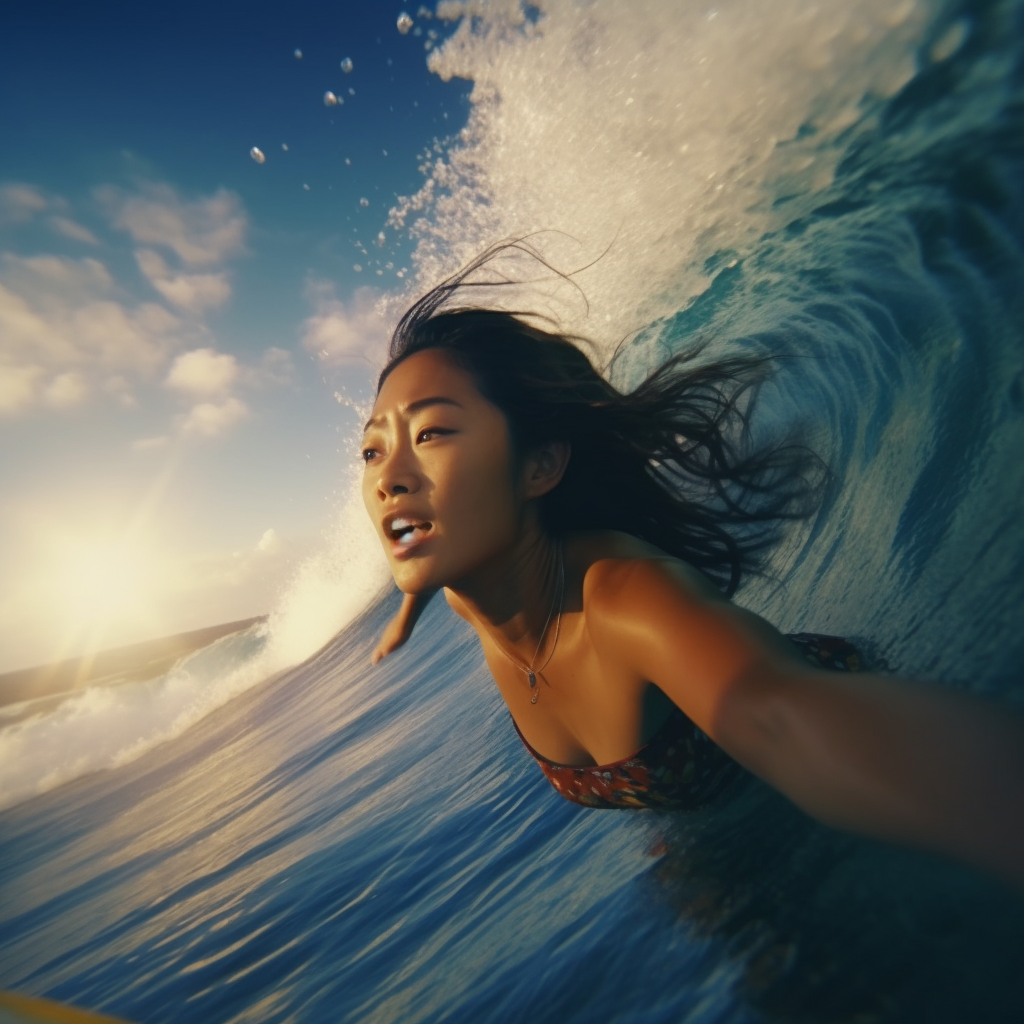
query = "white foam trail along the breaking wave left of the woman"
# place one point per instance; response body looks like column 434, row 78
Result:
column 104, row 728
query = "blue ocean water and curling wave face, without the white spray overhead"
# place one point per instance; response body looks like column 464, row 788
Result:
column 347, row 843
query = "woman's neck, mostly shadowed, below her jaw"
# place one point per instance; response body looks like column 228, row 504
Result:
column 511, row 598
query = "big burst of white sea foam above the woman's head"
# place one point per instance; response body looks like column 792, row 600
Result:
column 659, row 129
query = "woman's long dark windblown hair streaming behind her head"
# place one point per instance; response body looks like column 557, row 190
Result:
column 671, row 462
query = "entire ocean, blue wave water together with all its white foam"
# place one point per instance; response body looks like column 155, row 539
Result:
column 246, row 839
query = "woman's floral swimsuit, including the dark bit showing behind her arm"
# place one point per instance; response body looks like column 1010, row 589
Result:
column 680, row 766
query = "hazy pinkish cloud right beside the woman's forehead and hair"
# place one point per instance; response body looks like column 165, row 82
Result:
column 340, row 333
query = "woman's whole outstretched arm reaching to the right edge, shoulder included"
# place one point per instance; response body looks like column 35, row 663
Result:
column 887, row 757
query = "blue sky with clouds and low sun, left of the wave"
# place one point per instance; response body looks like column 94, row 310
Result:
column 176, row 318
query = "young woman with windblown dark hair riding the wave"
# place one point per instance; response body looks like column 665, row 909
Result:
column 592, row 540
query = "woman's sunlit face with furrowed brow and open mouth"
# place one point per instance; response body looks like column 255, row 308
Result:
column 440, row 482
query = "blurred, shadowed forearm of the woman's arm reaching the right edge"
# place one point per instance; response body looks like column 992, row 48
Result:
column 899, row 760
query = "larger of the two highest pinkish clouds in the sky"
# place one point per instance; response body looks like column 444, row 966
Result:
column 199, row 232
